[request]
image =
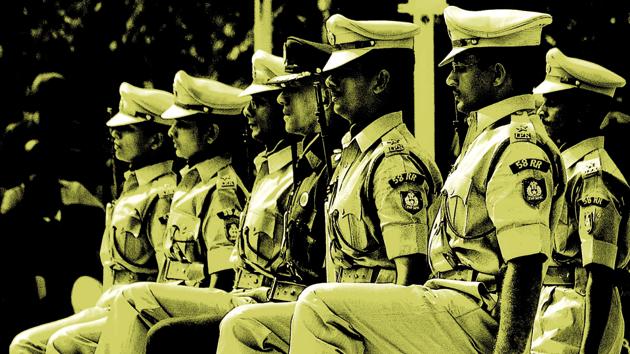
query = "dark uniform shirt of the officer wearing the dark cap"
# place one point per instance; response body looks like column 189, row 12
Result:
column 305, row 236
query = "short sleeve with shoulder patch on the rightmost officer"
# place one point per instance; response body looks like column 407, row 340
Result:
column 599, row 222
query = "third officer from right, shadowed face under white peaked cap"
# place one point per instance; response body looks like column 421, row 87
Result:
column 378, row 210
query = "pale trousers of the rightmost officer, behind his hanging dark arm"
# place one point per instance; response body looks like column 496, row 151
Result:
column 559, row 323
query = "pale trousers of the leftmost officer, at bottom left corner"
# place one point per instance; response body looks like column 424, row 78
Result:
column 74, row 334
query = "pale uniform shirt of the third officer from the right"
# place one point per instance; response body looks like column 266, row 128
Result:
column 379, row 196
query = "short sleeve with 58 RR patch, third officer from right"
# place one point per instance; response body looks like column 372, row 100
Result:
column 400, row 196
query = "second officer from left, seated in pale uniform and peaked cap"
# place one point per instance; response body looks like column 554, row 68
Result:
column 203, row 218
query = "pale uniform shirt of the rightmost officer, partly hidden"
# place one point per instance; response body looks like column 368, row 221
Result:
column 590, row 228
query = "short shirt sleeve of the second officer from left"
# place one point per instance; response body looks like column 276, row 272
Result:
column 221, row 228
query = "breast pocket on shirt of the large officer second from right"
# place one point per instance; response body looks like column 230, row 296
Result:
column 456, row 205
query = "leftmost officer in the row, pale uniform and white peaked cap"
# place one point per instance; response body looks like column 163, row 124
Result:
column 135, row 222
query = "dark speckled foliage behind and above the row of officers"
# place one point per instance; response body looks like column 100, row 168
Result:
column 98, row 44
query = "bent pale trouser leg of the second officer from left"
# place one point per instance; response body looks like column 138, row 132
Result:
column 140, row 306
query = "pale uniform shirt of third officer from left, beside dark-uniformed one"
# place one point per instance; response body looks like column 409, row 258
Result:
column 263, row 223
